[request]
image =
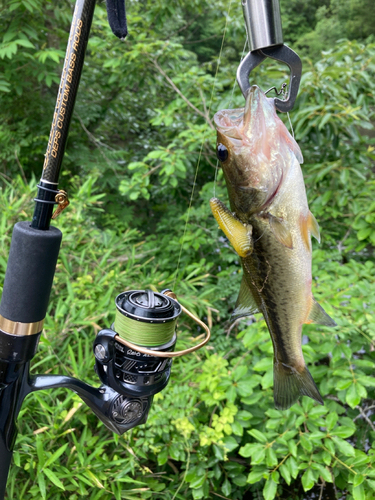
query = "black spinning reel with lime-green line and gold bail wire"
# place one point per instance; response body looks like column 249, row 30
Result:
column 134, row 357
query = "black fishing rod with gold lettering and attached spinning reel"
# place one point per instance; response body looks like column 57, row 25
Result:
column 133, row 357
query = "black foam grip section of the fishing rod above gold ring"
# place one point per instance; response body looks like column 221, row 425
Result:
column 29, row 275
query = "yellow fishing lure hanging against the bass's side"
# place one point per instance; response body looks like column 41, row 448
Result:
column 238, row 234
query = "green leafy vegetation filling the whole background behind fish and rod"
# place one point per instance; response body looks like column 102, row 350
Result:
column 141, row 149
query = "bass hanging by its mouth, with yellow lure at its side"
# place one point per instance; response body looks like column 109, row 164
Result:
column 269, row 225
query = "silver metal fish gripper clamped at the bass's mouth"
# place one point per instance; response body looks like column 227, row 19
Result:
column 264, row 31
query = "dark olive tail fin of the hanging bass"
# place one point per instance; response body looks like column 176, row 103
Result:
column 290, row 384
